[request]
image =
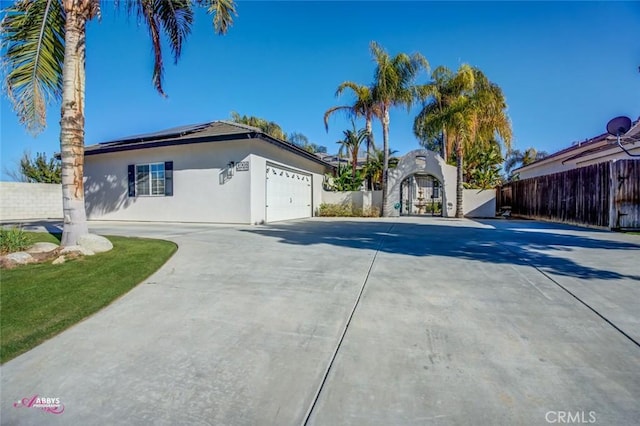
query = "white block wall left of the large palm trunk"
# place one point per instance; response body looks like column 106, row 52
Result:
column 28, row 201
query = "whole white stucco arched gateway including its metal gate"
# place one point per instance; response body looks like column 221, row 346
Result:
column 421, row 184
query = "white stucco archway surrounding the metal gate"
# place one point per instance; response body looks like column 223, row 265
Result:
column 422, row 161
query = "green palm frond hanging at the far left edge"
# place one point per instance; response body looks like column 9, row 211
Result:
column 32, row 33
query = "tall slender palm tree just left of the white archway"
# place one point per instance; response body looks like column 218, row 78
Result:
column 393, row 86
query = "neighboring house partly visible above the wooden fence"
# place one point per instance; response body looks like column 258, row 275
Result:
column 599, row 149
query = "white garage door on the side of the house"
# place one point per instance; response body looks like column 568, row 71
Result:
column 288, row 194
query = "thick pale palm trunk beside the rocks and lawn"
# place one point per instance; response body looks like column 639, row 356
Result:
column 72, row 121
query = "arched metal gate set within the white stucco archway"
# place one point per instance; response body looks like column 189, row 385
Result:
column 421, row 195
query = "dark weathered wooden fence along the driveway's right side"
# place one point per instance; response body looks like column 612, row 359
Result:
column 604, row 195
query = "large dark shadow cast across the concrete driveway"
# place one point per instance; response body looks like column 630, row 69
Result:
column 514, row 243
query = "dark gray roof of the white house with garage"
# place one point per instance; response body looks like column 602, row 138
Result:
column 215, row 131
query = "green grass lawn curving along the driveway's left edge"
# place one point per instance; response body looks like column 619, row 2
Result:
column 38, row 301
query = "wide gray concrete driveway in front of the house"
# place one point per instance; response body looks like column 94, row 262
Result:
column 362, row 322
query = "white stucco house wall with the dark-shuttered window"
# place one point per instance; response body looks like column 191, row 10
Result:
column 199, row 195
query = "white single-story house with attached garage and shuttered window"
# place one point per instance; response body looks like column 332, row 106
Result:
column 218, row 172
